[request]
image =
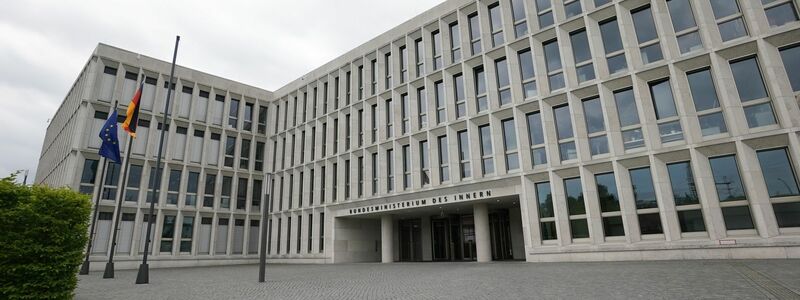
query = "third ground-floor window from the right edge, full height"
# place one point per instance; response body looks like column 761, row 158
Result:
column 684, row 193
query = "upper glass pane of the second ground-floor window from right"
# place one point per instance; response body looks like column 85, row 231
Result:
column 726, row 178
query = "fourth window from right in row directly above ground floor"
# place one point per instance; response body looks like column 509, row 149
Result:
column 669, row 126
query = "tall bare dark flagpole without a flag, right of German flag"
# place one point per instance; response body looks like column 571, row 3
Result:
column 144, row 271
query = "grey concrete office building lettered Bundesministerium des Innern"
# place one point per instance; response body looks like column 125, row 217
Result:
column 532, row 130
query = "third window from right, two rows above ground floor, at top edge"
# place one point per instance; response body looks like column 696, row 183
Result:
column 686, row 30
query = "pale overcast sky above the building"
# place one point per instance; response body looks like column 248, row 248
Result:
column 267, row 44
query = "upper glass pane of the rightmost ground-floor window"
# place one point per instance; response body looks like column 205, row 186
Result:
column 778, row 173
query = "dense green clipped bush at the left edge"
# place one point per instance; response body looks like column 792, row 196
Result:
column 43, row 233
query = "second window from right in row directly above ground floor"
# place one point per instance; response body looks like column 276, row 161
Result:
column 752, row 92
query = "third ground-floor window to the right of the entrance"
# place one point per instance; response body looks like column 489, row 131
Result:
column 609, row 204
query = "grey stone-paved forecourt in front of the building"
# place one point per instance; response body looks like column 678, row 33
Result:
column 729, row 279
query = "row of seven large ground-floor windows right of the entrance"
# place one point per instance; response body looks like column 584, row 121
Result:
column 778, row 174
